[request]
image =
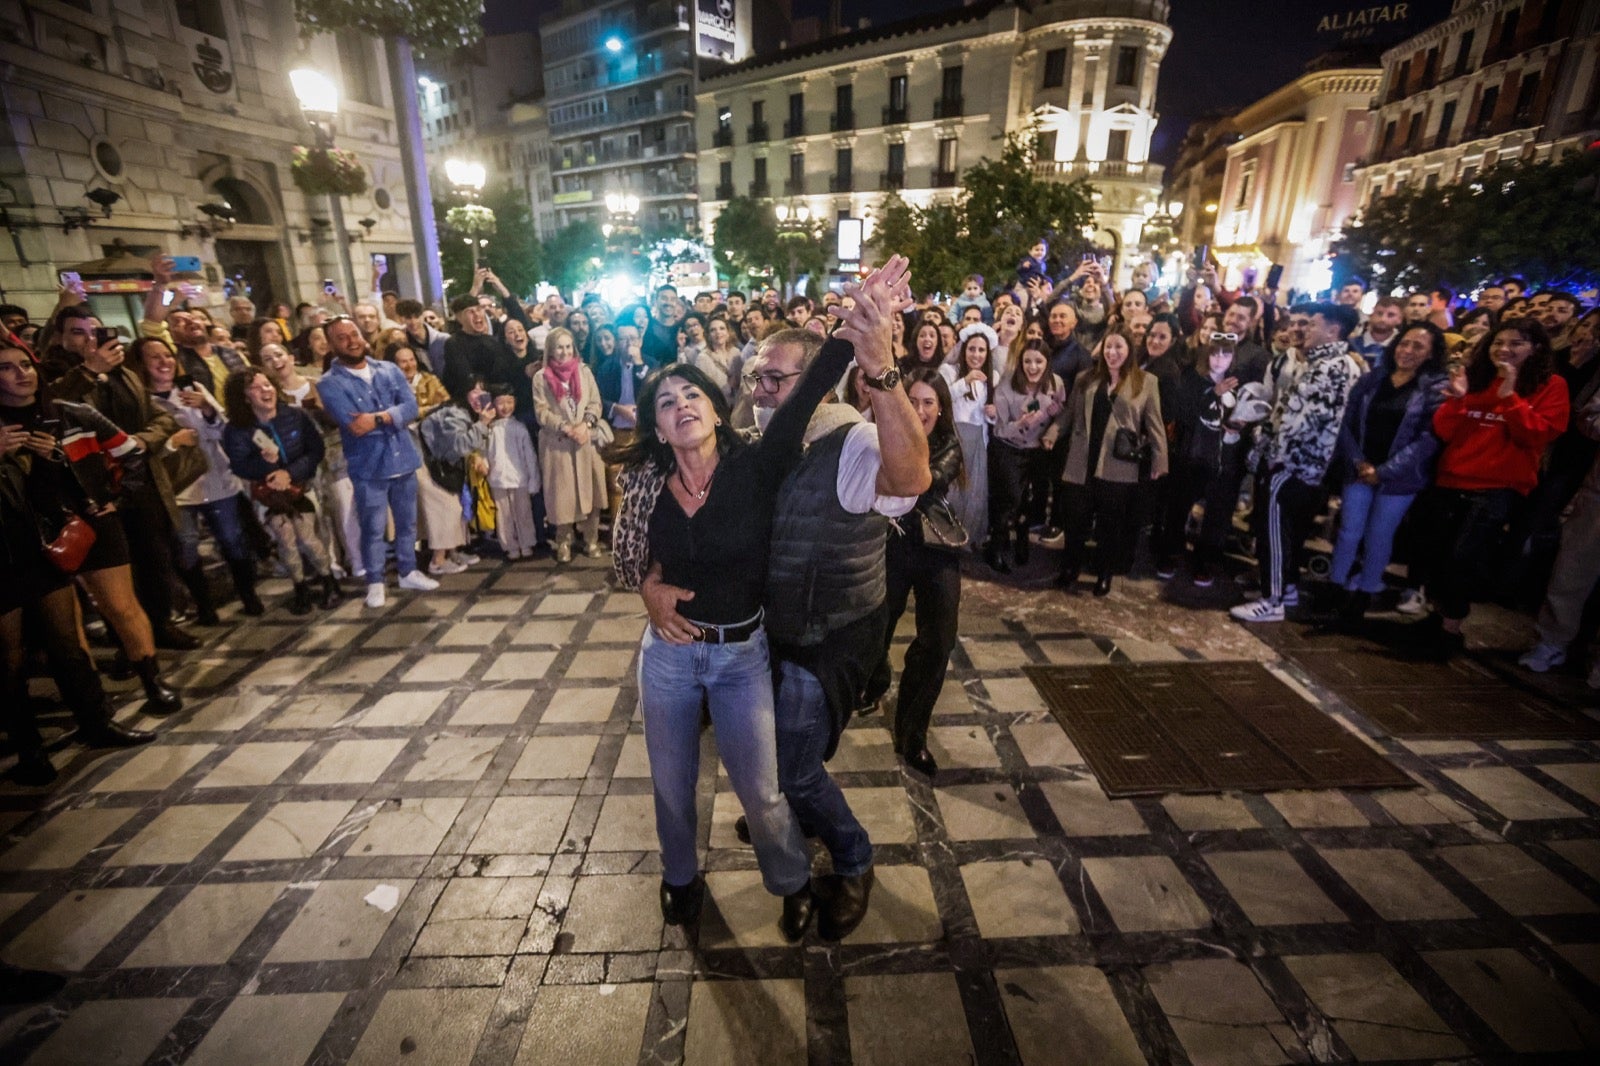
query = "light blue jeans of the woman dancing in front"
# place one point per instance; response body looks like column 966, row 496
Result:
column 737, row 683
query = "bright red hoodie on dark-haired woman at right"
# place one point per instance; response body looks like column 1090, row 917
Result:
column 1494, row 443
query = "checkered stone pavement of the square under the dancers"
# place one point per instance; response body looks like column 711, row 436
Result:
column 425, row 835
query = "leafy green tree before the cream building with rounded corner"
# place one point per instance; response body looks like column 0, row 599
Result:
column 1002, row 210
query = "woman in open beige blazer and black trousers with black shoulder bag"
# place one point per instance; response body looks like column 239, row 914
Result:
column 1102, row 489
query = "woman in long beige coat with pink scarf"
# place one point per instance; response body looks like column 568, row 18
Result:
column 567, row 407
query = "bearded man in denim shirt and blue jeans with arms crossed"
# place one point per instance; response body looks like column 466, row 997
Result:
column 374, row 404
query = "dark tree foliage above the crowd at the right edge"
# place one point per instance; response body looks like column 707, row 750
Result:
column 1519, row 218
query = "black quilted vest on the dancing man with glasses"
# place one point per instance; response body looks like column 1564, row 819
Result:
column 826, row 564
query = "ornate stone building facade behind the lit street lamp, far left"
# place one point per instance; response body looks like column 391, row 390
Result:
column 177, row 108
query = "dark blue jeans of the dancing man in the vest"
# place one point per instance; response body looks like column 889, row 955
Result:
column 804, row 729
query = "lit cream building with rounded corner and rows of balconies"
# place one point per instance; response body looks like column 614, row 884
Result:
column 908, row 106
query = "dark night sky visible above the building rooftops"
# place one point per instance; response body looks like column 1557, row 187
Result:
column 1225, row 54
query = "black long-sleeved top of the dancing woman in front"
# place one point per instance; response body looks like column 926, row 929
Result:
column 721, row 551
